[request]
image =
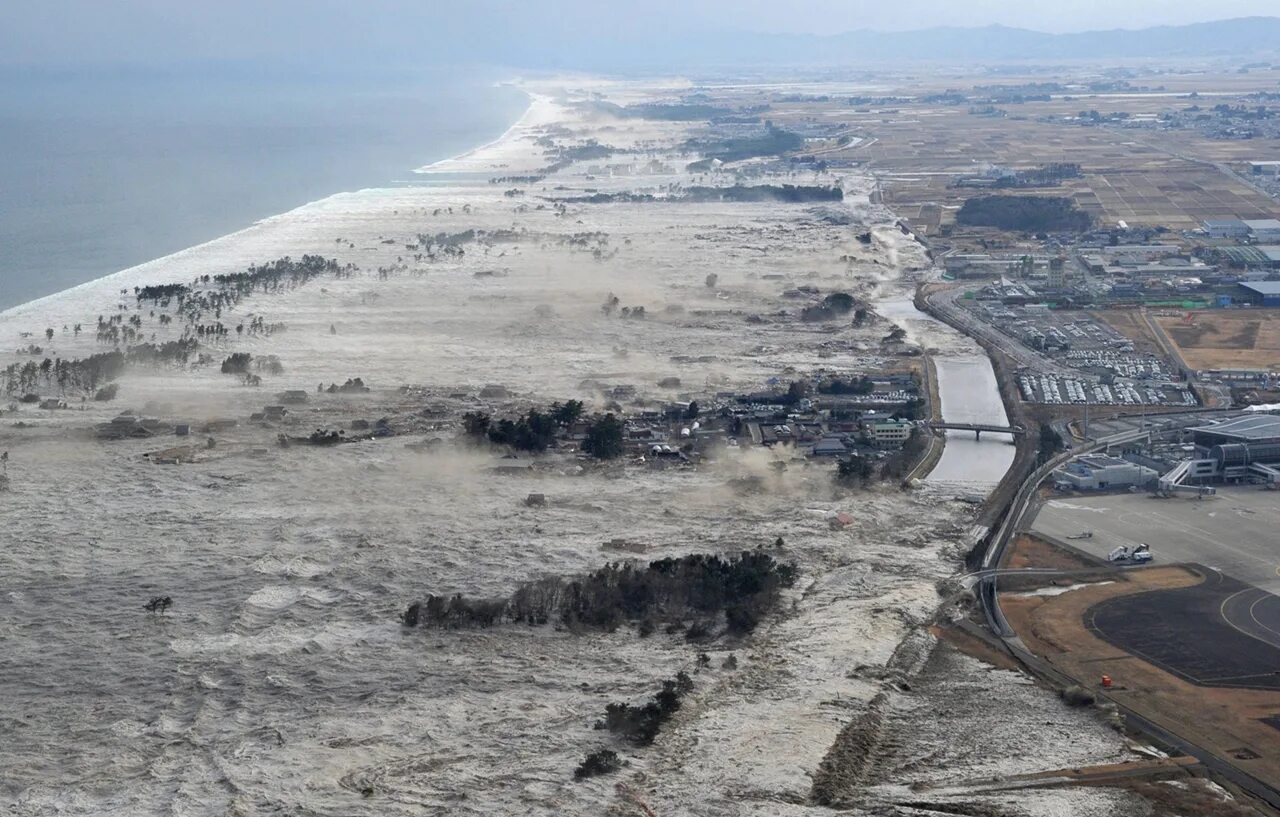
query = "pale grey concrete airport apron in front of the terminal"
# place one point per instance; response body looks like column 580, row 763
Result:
column 1235, row 532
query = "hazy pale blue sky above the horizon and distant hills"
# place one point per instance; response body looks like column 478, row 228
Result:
column 52, row 34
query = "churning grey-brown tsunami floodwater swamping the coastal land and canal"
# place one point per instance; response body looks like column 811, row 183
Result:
column 284, row 679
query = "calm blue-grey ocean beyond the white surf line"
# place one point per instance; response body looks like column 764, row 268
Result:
column 106, row 172
